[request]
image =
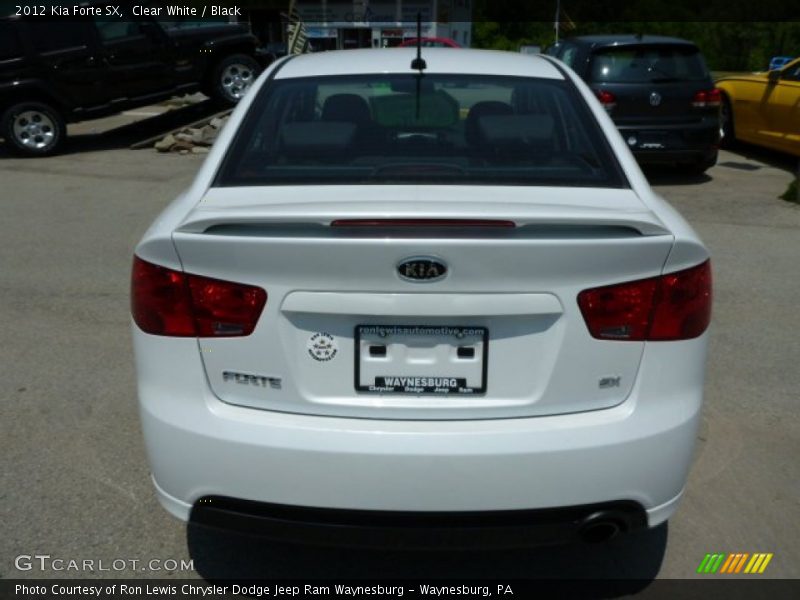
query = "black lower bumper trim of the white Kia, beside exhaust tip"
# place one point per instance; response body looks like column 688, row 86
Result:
column 418, row 530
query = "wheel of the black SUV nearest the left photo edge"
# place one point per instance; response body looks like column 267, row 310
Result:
column 33, row 128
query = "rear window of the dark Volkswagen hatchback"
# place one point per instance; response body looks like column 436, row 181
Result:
column 648, row 64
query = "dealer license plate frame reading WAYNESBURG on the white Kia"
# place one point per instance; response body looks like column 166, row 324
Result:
column 425, row 383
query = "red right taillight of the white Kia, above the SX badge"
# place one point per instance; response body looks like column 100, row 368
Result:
column 676, row 306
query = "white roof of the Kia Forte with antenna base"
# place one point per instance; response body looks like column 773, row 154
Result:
column 438, row 60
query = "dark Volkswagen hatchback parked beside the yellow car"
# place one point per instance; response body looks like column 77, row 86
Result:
column 657, row 90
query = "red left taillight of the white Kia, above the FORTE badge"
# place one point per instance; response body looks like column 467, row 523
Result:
column 172, row 303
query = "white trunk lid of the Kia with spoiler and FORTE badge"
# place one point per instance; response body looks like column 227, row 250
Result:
column 500, row 335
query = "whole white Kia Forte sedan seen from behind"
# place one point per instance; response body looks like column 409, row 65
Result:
column 435, row 299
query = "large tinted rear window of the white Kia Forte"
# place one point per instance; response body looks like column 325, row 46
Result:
column 448, row 129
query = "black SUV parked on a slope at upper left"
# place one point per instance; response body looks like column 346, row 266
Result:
column 57, row 71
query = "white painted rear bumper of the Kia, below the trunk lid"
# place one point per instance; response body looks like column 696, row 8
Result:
column 639, row 451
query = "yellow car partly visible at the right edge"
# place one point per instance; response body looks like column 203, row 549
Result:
column 763, row 108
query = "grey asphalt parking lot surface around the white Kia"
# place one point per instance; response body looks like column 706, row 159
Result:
column 74, row 483
